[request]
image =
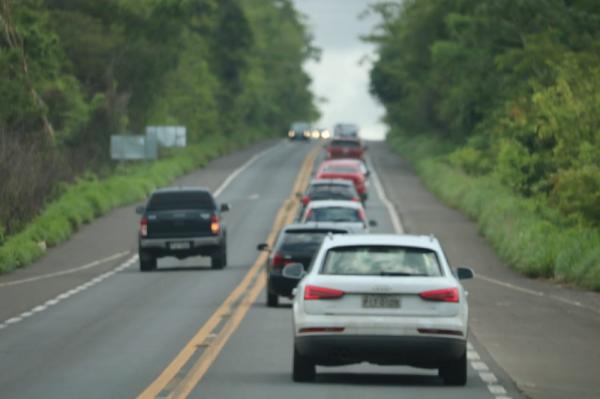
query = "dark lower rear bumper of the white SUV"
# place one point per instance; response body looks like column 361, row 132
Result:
column 417, row 351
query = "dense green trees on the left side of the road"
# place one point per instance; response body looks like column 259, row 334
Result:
column 73, row 72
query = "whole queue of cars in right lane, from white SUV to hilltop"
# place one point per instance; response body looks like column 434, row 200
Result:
column 386, row 299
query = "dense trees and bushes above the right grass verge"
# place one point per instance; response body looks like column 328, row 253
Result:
column 516, row 83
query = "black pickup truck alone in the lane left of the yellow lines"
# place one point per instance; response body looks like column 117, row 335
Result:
column 182, row 222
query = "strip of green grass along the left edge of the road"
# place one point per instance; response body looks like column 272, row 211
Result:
column 90, row 197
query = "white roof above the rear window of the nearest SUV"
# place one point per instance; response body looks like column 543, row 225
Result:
column 405, row 240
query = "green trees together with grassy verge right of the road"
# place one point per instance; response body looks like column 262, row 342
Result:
column 495, row 102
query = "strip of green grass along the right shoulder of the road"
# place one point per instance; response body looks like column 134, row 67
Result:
column 532, row 237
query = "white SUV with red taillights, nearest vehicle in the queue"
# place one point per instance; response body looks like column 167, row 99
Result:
column 382, row 299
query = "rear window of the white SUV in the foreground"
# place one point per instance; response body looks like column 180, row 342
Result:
column 381, row 261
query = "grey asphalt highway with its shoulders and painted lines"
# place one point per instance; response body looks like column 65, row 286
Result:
column 84, row 322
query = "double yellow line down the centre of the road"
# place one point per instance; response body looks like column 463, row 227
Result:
column 228, row 309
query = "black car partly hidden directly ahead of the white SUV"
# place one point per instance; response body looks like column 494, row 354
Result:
column 296, row 243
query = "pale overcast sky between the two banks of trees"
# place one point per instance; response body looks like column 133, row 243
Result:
column 338, row 76
